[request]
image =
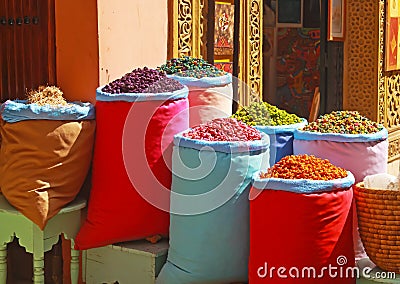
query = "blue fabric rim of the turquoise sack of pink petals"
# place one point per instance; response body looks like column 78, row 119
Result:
column 222, row 146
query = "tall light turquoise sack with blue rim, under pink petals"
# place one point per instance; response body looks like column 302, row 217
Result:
column 209, row 219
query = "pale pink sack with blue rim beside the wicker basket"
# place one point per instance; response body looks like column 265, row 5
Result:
column 363, row 155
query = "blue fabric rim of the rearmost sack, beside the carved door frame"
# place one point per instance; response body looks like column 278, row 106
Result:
column 206, row 82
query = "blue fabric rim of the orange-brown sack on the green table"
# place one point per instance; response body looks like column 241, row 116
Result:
column 20, row 110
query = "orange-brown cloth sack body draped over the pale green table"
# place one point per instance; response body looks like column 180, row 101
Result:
column 43, row 164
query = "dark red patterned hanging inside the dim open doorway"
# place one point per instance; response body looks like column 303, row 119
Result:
column 297, row 69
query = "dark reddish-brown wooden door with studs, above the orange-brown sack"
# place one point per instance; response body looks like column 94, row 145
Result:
column 27, row 46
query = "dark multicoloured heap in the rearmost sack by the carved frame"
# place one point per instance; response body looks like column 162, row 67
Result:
column 188, row 66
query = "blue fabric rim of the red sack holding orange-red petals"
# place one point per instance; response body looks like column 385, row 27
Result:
column 302, row 185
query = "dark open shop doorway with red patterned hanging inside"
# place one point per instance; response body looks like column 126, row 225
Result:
column 298, row 58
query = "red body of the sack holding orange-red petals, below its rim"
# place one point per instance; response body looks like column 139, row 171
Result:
column 297, row 231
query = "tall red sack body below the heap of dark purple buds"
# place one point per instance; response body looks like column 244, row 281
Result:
column 117, row 211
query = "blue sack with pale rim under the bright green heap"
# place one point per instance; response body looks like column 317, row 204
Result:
column 281, row 139
